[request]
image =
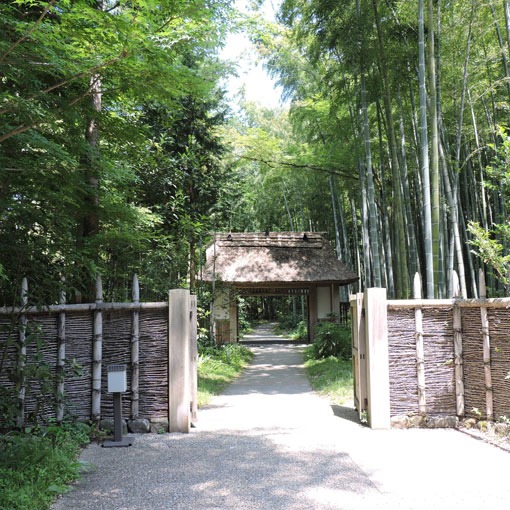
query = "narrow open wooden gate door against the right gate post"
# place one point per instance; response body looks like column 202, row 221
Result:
column 359, row 363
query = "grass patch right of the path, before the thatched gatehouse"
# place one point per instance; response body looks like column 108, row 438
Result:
column 330, row 377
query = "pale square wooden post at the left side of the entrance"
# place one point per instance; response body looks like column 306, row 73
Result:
column 179, row 361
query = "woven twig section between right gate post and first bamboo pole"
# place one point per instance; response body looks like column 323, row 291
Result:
column 402, row 362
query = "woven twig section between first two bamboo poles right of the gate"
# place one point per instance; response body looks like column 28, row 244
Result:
column 439, row 362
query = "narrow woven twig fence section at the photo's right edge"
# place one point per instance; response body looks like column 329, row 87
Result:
column 499, row 321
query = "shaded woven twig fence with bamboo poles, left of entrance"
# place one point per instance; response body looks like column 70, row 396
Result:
column 53, row 360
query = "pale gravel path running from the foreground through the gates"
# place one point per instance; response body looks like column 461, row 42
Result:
column 270, row 443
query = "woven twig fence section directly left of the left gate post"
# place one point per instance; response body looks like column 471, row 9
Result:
column 153, row 363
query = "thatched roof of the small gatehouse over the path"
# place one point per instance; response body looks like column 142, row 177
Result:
column 275, row 258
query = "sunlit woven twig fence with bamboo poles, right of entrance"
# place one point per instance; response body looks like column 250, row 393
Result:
column 465, row 362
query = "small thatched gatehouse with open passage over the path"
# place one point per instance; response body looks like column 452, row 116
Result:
column 302, row 265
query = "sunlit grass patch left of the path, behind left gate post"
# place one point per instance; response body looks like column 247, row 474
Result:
column 218, row 367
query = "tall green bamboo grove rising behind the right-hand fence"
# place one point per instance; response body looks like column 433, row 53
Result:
column 405, row 105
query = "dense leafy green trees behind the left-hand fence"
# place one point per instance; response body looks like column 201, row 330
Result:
column 109, row 149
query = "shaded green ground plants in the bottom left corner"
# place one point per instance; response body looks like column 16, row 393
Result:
column 38, row 465
